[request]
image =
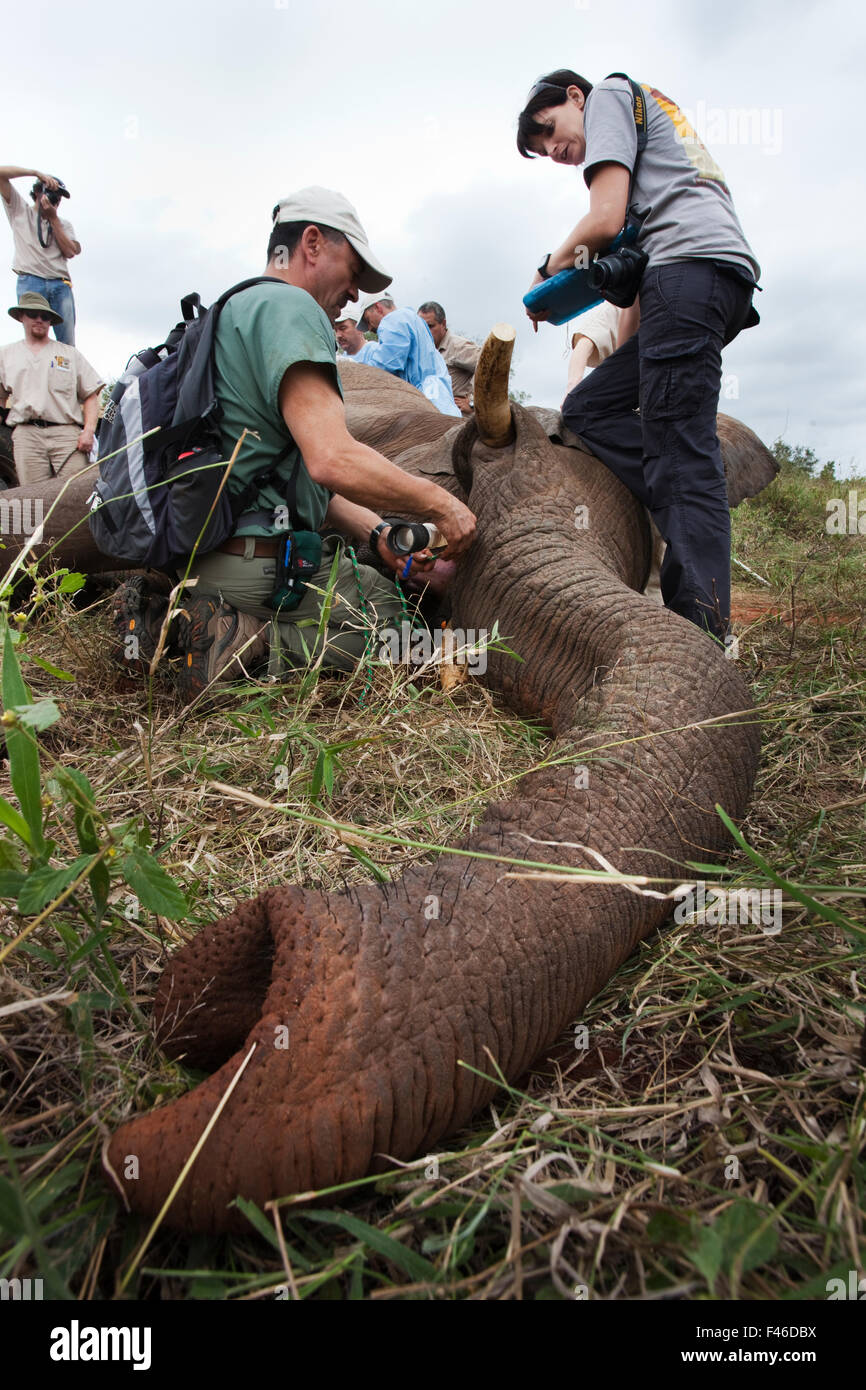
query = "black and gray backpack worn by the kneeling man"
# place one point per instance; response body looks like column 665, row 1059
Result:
column 152, row 498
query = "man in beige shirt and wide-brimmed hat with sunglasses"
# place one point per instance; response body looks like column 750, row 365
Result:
column 54, row 397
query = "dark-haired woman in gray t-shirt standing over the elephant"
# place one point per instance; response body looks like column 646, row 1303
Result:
column 696, row 295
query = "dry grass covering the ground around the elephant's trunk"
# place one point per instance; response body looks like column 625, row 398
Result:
column 704, row 1138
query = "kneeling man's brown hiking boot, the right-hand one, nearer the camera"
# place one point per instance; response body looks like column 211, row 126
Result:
column 216, row 643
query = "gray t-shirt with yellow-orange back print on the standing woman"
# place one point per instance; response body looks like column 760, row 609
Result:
column 680, row 193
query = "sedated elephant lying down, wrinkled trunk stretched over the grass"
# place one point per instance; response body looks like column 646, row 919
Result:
column 382, row 1001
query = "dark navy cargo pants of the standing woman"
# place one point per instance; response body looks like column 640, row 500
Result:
column 669, row 454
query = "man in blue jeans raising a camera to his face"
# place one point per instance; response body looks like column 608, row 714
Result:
column 44, row 244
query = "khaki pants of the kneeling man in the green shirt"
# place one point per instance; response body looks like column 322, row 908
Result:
column 247, row 583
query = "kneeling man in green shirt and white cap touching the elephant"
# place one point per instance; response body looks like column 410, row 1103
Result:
column 276, row 370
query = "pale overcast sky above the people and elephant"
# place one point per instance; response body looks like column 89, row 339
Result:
column 179, row 126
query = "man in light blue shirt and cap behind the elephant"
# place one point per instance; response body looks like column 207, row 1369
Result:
column 407, row 350
